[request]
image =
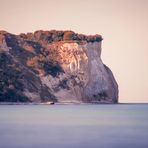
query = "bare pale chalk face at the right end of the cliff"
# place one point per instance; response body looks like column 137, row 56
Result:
column 86, row 78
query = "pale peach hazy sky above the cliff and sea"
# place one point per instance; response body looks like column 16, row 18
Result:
column 122, row 23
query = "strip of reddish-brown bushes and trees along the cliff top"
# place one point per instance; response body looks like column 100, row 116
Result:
column 54, row 35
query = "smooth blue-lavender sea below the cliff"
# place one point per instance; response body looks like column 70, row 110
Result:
column 74, row 126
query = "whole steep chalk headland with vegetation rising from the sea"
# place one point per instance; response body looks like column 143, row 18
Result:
column 58, row 66
